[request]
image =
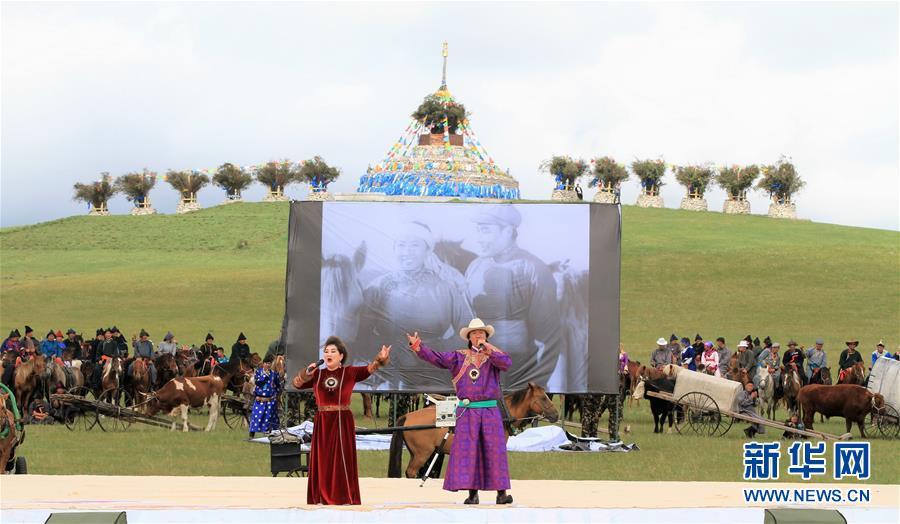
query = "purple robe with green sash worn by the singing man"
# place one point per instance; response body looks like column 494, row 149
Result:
column 478, row 453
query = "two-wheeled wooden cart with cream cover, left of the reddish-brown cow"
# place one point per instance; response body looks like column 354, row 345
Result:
column 709, row 406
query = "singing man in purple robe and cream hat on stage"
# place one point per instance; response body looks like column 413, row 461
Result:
column 478, row 454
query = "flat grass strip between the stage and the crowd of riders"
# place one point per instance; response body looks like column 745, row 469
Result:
column 144, row 450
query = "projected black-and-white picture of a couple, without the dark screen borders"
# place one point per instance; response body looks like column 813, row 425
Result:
column 392, row 269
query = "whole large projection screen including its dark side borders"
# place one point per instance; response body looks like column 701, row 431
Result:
column 546, row 276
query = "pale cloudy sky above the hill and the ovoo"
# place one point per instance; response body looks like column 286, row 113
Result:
column 112, row 87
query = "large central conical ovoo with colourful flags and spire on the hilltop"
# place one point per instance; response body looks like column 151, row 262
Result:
column 439, row 155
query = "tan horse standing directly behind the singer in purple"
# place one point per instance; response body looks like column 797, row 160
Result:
column 524, row 406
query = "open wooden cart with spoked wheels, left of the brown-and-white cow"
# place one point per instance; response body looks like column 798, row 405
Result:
column 110, row 414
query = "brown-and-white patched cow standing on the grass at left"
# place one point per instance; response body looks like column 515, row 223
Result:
column 182, row 393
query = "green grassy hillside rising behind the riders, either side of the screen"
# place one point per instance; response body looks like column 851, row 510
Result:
column 222, row 270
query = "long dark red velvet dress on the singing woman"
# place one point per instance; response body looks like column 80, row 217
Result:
column 333, row 475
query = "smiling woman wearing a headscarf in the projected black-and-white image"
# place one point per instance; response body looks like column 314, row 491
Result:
column 421, row 293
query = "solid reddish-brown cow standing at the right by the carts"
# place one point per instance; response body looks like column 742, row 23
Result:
column 850, row 401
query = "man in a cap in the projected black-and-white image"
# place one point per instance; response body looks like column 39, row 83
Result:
column 515, row 291
